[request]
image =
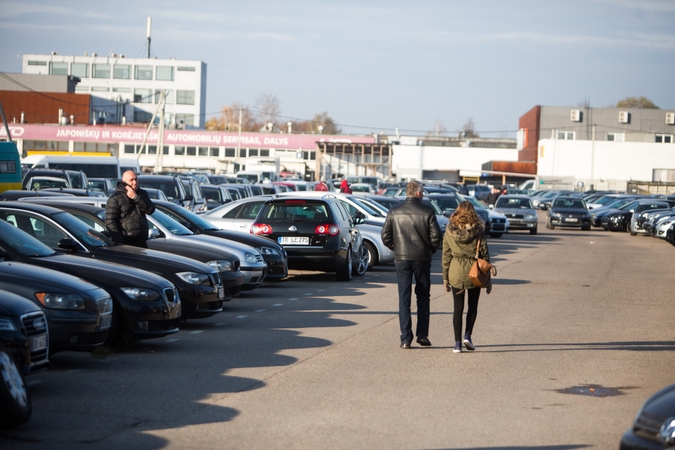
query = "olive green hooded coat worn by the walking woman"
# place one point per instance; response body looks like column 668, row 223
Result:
column 459, row 249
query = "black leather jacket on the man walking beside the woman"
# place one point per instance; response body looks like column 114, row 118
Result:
column 411, row 231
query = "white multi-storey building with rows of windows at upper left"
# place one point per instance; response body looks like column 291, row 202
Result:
column 137, row 81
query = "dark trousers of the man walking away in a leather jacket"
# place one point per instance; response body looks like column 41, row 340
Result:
column 421, row 270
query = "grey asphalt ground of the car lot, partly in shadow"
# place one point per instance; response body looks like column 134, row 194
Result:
column 577, row 332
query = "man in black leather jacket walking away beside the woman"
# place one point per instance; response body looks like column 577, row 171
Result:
column 412, row 232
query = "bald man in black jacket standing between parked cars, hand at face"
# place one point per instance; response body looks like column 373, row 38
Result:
column 125, row 212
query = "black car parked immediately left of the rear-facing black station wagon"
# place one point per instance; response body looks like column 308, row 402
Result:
column 273, row 253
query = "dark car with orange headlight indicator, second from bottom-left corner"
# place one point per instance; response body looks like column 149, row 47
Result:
column 79, row 312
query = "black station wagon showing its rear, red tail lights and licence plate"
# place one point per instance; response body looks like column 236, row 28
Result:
column 317, row 232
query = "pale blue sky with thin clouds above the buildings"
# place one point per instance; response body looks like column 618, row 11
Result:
column 377, row 65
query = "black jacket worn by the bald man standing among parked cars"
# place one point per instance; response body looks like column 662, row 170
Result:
column 125, row 217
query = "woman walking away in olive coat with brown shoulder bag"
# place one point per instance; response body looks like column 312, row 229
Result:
column 462, row 234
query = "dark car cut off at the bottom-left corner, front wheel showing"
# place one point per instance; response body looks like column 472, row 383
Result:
column 23, row 349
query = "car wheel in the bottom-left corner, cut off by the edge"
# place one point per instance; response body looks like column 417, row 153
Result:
column 15, row 403
